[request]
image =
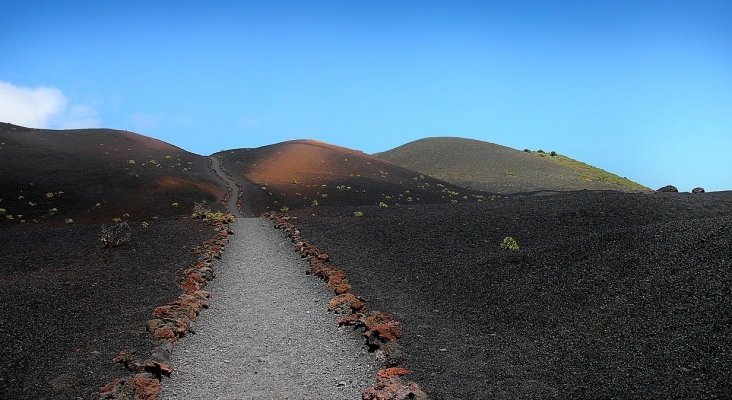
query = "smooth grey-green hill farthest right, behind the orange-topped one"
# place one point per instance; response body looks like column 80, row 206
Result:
column 499, row 169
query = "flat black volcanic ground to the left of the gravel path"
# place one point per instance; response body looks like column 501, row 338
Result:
column 69, row 305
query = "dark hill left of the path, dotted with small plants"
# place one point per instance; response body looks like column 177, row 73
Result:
column 93, row 174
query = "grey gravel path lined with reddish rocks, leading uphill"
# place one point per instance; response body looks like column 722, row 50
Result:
column 267, row 334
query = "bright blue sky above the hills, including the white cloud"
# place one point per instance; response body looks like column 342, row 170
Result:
column 640, row 88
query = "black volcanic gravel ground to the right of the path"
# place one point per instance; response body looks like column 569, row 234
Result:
column 611, row 295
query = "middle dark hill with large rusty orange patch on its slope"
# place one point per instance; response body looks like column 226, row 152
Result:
column 306, row 173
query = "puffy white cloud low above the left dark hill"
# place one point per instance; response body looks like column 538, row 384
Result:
column 43, row 107
